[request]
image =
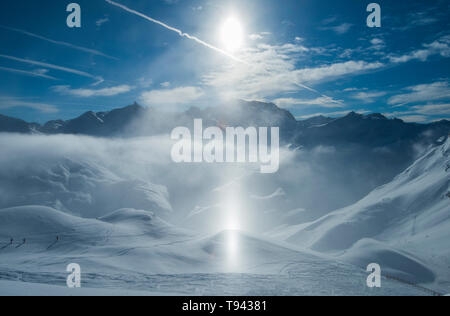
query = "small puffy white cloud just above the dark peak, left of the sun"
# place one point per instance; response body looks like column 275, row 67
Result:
column 171, row 97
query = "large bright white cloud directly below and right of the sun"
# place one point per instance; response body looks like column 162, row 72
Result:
column 273, row 71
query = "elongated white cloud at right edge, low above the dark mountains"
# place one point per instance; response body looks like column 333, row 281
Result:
column 422, row 93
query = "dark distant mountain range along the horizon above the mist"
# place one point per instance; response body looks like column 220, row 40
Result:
column 135, row 120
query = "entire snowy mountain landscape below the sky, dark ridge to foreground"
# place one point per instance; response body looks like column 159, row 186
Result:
column 135, row 220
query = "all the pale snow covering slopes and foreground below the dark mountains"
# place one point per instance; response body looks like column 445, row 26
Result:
column 95, row 203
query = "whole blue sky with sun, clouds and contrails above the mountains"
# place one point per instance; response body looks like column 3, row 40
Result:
column 308, row 56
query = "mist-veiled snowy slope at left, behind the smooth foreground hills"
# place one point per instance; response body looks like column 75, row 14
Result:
column 73, row 174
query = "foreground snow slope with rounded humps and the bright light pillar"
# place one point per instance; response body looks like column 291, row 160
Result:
column 134, row 250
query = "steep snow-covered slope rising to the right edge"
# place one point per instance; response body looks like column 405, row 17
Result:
column 412, row 213
